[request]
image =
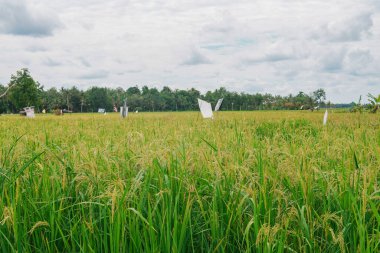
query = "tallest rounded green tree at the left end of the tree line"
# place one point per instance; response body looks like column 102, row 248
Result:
column 25, row 91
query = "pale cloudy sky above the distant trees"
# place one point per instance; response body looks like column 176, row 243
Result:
column 264, row 46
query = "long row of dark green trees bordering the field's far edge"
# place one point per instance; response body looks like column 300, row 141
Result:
column 23, row 91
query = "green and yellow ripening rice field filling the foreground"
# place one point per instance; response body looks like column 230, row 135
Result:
column 173, row 182
